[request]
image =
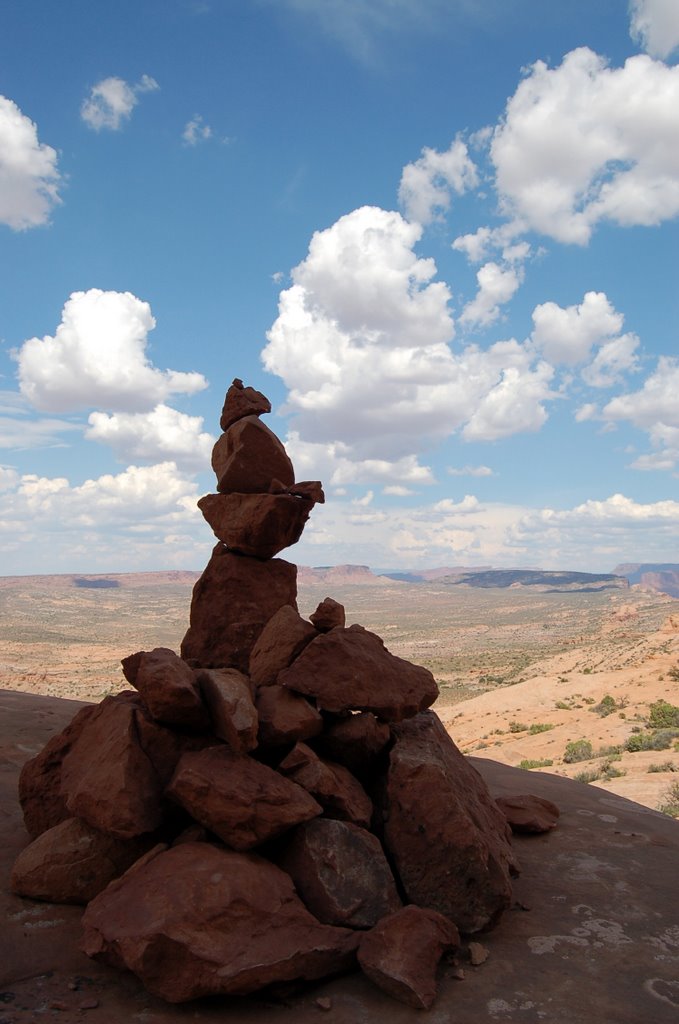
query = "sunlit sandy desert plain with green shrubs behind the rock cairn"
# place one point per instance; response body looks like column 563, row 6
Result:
column 563, row 684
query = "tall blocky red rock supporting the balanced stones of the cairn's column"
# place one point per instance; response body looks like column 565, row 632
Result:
column 232, row 604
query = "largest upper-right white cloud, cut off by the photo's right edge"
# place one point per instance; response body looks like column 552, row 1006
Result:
column 583, row 143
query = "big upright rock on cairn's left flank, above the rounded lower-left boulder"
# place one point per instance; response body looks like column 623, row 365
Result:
column 107, row 780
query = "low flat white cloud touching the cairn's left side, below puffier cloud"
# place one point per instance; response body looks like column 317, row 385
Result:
column 163, row 435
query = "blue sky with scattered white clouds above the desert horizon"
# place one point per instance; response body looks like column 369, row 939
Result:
column 441, row 236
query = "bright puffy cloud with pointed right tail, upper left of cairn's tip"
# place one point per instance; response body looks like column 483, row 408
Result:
column 98, row 359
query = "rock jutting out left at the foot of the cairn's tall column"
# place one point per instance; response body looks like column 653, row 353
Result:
column 169, row 690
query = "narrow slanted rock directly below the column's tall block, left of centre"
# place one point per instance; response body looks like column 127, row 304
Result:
column 228, row 695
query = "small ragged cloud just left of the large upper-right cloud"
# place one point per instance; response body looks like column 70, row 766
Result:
column 427, row 185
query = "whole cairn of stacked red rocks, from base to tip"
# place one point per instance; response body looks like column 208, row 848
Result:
column 277, row 803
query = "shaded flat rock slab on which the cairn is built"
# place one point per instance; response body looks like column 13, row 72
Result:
column 592, row 924
